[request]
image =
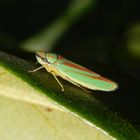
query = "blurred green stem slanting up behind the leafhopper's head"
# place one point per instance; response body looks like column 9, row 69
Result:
column 46, row 39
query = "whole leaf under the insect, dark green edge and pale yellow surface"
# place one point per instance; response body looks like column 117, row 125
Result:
column 32, row 106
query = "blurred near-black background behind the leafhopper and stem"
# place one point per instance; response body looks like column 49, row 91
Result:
column 105, row 39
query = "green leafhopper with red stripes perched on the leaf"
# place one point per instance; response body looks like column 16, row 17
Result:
column 72, row 72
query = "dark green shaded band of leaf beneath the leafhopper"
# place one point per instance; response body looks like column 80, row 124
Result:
column 73, row 99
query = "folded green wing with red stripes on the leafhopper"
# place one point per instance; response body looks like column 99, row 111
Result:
column 84, row 76
